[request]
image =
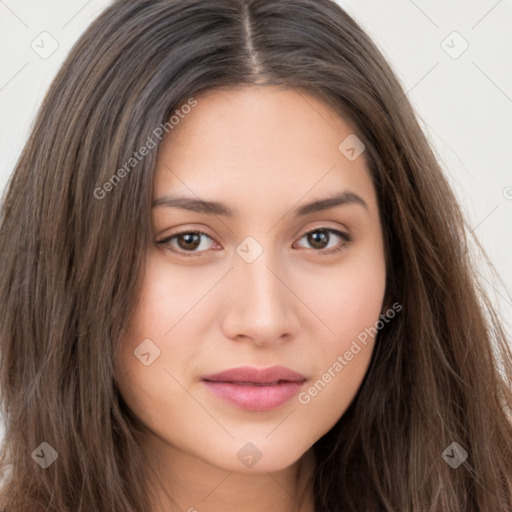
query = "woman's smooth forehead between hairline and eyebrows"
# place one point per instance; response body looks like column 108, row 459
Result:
column 266, row 144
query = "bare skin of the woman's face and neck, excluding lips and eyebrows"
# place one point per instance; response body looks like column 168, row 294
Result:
column 262, row 151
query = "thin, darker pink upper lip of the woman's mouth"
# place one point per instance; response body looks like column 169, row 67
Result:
column 271, row 375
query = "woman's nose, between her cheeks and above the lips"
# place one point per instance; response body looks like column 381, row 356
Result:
column 260, row 305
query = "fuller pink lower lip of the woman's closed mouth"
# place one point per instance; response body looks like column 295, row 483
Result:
column 255, row 398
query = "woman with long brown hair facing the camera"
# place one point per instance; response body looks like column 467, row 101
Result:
column 177, row 336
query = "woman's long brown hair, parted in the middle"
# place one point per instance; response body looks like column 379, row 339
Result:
column 72, row 264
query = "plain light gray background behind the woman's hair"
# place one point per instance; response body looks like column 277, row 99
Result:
column 464, row 103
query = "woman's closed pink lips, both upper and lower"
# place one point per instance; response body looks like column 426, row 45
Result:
column 255, row 389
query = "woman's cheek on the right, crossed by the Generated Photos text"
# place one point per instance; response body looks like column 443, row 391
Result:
column 349, row 303
